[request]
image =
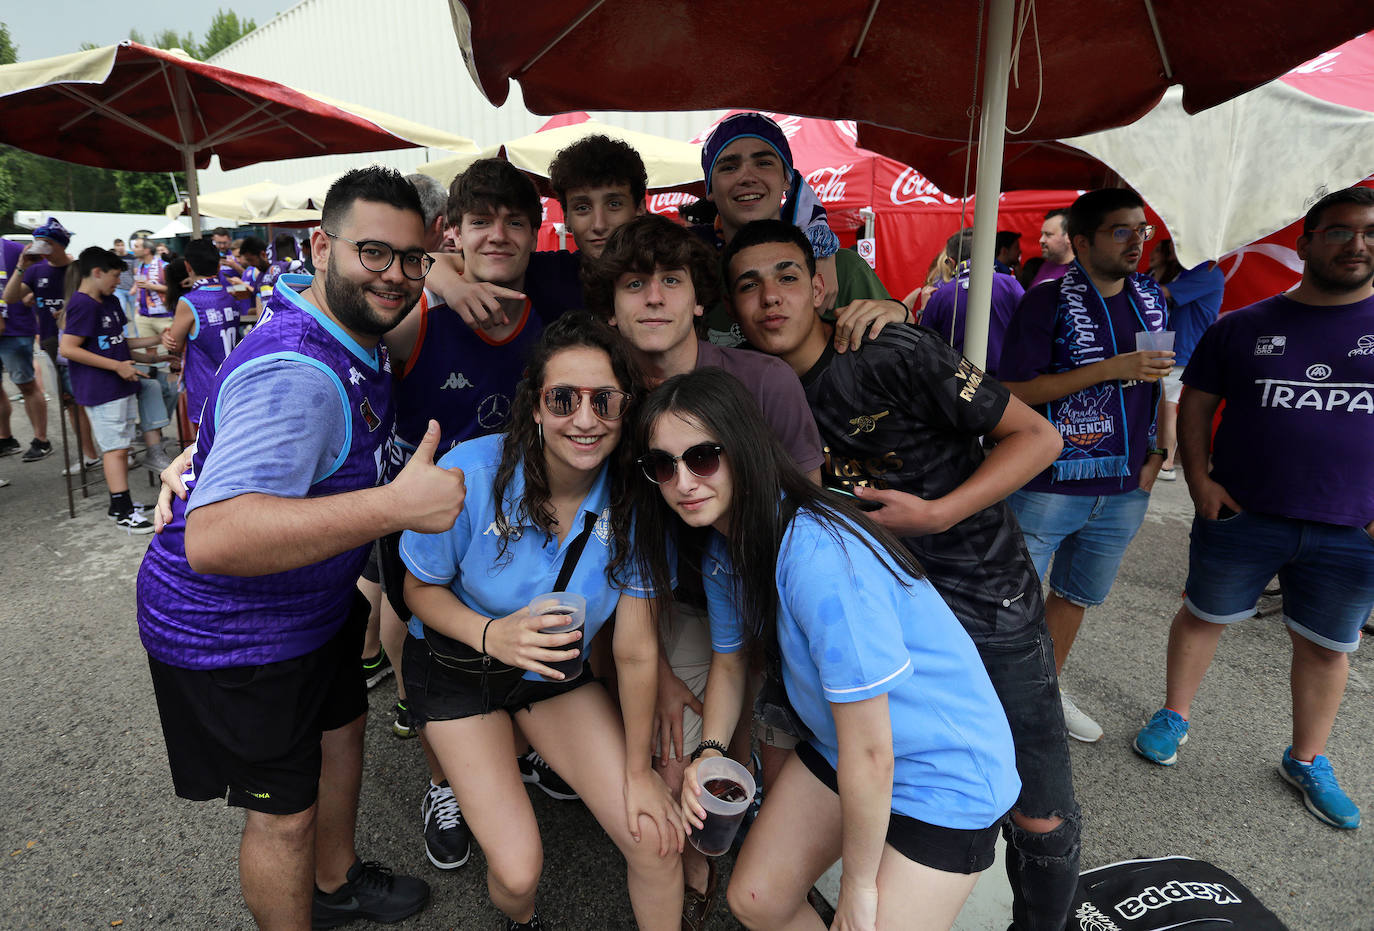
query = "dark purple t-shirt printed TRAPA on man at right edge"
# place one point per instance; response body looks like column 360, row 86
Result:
column 1298, row 430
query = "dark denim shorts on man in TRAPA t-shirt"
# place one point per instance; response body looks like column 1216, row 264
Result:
column 1327, row 573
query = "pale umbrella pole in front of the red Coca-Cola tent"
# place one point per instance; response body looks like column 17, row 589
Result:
column 991, row 137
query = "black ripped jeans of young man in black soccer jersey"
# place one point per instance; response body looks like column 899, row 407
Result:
column 1044, row 869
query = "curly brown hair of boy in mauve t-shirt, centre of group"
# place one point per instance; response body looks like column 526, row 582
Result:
column 644, row 245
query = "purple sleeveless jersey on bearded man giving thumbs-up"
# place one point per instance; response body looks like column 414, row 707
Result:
column 200, row 621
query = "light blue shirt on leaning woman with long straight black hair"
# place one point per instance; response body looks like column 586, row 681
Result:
column 854, row 632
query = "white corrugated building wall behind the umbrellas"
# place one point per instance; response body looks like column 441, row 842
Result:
column 399, row 57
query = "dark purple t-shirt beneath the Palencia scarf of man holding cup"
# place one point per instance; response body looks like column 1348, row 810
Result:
column 1027, row 351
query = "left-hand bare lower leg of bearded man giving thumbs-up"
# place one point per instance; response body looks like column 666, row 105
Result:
column 277, row 864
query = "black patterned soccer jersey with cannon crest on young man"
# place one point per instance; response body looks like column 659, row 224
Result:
column 908, row 413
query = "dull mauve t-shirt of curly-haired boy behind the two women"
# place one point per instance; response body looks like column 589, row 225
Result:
column 780, row 395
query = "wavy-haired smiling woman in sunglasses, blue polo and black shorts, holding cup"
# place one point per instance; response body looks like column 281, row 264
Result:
column 546, row 498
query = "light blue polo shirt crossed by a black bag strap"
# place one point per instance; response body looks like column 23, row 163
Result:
column 468, row 560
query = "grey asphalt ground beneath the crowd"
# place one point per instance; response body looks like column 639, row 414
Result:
column 93, row 836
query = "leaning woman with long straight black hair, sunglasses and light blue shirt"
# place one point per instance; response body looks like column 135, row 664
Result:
column 910, row 767
